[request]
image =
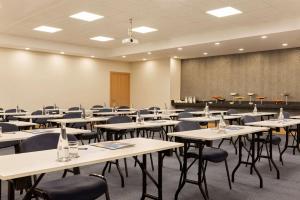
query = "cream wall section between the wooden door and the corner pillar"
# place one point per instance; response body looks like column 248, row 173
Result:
column 150, row 83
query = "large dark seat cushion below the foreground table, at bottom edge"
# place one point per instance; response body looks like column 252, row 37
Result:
column 77, row 187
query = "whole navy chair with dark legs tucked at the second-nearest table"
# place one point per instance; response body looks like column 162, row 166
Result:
column 209, row 154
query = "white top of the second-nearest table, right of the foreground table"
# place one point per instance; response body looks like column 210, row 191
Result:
column 210, row 134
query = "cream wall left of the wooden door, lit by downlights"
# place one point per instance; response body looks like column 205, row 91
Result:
column 32, row 79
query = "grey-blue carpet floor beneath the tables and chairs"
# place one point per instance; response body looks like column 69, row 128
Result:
column 246, row 186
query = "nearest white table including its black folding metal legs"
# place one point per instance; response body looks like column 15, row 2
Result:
column 31, row 162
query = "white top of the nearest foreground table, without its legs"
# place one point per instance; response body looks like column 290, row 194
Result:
column 28, row 164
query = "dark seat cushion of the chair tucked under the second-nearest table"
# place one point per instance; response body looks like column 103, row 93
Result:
column 214, row 154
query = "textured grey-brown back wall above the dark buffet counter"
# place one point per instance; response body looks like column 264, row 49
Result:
column 267, row 74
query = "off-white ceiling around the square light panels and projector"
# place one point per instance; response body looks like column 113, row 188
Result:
column 180, row 23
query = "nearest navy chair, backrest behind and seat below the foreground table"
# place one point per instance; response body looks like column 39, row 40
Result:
column 75, row 187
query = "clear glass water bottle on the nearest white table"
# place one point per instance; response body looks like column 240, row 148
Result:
column 63, row 145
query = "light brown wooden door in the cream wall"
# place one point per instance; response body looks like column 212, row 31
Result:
column 119, row 89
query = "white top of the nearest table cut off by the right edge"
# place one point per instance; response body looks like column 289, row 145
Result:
column 275, row 123
